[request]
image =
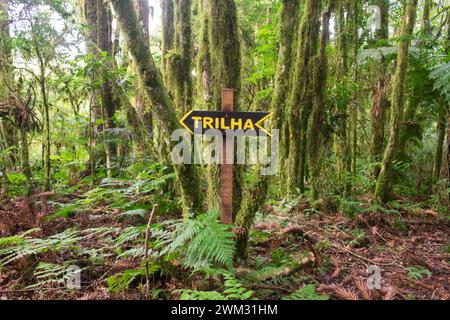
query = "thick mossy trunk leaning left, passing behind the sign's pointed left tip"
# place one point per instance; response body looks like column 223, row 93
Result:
column 157, row 94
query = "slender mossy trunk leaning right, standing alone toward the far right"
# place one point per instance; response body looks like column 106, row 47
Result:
column 384, row 188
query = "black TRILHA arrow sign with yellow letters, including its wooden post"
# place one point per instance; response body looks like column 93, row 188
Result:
column 249, row 124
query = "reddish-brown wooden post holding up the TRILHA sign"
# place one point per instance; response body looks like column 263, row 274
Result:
column 226, row 169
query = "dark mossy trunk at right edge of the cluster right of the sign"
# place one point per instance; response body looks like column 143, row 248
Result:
column 315, row 133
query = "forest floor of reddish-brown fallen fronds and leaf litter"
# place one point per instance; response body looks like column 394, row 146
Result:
column 412, row 250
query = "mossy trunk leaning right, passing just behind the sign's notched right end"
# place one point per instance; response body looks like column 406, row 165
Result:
column 255, row 195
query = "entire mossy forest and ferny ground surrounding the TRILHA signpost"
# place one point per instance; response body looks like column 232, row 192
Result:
column 91, row 91
